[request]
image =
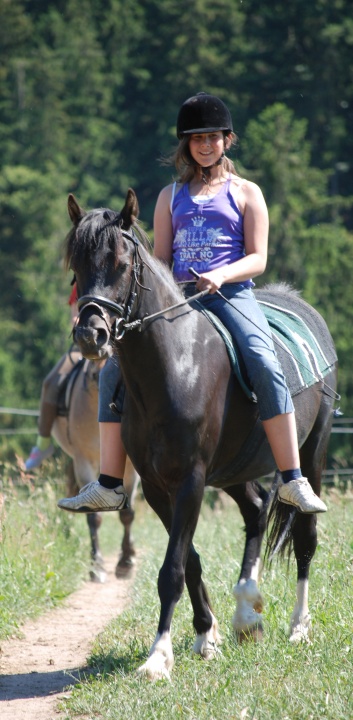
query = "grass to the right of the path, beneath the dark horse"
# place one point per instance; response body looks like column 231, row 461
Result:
column 273, row 680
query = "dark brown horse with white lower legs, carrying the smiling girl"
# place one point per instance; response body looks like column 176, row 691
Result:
column 196, row 426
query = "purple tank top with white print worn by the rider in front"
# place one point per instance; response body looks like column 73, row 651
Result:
column 207, row 235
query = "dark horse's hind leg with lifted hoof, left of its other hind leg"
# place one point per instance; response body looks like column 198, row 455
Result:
column 252, row 502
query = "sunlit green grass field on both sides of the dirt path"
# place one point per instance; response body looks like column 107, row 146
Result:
column 273, row 680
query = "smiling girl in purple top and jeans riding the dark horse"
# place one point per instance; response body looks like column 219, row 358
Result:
column 218, row 221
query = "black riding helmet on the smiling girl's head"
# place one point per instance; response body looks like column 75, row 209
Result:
column 203, row 113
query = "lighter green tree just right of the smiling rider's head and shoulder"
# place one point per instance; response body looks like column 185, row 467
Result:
column 277, row 154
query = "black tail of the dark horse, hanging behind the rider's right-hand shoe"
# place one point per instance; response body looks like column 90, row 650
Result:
column 281, row 518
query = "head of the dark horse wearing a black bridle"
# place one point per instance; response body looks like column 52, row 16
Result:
column 101, row 249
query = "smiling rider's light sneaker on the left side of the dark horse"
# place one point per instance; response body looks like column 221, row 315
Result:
column 96, row 498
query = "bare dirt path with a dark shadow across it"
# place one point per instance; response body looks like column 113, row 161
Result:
column 52, row 654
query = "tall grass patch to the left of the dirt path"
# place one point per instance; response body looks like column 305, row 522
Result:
column 44, row 553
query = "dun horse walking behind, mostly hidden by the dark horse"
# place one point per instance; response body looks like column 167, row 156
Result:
column 76, row 430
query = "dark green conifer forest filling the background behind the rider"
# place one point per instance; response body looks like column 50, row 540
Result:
column 89, row 93
